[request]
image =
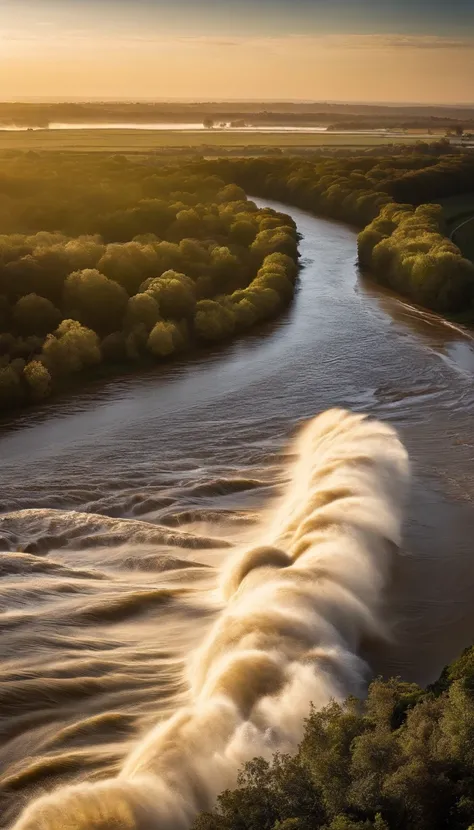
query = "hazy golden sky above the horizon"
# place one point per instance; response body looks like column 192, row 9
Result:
column 410, row 51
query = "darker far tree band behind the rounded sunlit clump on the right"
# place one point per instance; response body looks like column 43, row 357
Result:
column 351, row 188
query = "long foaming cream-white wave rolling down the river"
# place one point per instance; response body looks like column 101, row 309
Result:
column 297, row 608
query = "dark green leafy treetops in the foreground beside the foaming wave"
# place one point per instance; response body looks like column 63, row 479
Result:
column 401, row 760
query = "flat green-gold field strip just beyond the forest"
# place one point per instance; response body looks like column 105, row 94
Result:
column 129, row 141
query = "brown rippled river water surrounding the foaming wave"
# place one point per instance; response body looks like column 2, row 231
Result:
column 125, row 500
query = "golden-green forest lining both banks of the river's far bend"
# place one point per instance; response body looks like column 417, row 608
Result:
column 114, row 259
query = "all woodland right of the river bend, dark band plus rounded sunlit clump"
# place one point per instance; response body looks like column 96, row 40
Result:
column 405, row 248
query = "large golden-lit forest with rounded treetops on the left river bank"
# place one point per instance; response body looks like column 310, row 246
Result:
column 106, row 259
